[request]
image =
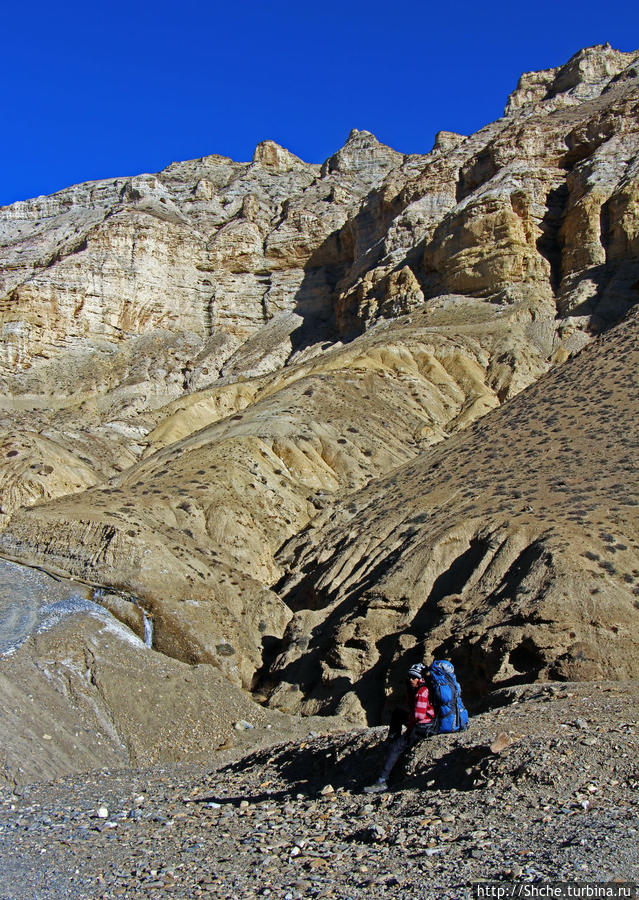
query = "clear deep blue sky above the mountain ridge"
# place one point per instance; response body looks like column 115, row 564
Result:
column 101, row 89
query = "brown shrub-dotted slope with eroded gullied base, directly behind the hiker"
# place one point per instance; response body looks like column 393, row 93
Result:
column 513, row 549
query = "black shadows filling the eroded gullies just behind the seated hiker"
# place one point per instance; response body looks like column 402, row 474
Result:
column 476, row 663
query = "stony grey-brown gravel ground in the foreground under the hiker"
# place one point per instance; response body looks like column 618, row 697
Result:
column 555, row 799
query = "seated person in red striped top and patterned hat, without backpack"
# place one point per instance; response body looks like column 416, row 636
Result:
column 421, row 722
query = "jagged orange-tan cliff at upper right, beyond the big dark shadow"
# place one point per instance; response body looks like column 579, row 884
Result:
column 520, row 211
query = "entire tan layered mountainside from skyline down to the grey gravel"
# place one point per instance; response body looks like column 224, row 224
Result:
column 207, row 371
